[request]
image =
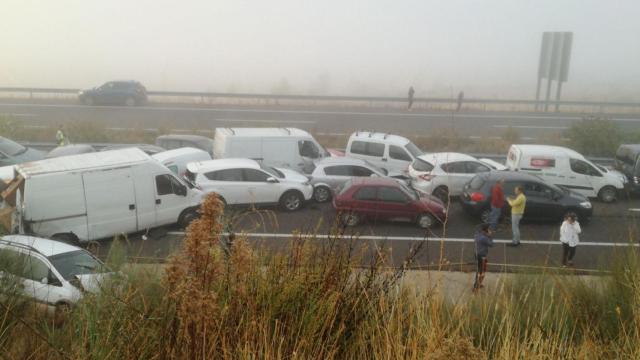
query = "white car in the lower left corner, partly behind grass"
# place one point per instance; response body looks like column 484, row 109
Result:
column 51, row 273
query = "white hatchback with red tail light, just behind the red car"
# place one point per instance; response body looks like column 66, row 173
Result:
column 444, row 174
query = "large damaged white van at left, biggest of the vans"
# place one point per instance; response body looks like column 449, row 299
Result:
column 98, row 195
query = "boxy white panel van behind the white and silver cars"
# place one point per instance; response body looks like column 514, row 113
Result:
column 280, row 147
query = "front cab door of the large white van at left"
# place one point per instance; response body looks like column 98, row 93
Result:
column 170, row 198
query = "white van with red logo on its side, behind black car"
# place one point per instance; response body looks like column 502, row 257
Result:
column 566, row 167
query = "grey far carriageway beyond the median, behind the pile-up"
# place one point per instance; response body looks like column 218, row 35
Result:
column 327, row 120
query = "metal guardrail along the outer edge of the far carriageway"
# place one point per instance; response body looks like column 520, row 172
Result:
column 451, row 101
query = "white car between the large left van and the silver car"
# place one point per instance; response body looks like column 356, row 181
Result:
column 245, row 181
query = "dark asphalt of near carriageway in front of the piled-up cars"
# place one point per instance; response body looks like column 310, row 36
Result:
column 604, row 238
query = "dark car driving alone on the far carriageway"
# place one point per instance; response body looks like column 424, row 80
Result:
column 128, row 93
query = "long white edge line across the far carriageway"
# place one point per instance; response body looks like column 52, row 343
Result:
column 456, row 116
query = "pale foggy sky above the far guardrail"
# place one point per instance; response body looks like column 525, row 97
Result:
column 486, row 48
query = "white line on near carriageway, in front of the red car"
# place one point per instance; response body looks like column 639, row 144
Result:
column 415, row 238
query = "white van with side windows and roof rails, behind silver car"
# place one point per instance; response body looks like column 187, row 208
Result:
column 391, row 152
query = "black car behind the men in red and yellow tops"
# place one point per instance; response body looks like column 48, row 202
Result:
column 545, row 202
